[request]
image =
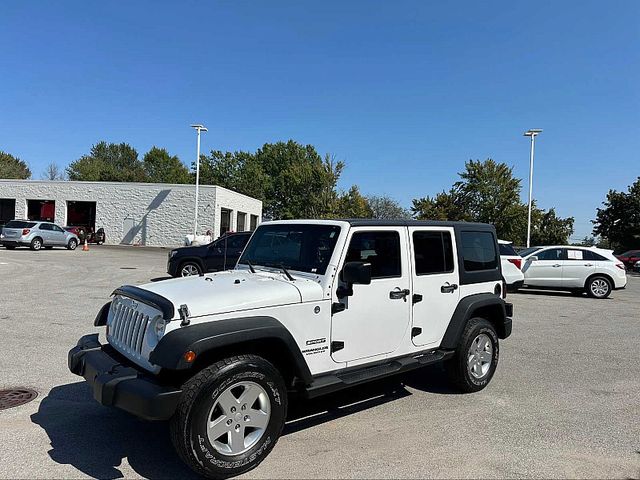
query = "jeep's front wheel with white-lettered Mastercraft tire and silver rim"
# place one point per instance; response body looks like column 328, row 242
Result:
column 230, row 416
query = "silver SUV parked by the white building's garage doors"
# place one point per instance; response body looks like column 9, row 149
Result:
column 36, row 235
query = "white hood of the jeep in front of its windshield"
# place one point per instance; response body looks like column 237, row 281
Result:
column 234, row 290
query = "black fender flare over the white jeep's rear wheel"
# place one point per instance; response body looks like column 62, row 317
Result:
column 466, row 309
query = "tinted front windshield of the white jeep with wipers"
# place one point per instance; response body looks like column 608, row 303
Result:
column 303, row 247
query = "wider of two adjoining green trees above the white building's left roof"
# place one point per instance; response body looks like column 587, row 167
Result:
column 108, row 162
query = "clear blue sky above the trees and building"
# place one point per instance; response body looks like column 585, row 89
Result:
column 404, row 92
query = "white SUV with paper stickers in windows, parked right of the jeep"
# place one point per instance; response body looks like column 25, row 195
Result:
column 579, row 269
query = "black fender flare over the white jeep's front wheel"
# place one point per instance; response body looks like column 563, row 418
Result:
column 204, row 337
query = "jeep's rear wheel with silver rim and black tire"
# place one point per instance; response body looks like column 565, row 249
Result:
column 476, row 358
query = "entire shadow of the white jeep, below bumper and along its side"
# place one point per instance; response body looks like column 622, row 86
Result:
column 95, row 439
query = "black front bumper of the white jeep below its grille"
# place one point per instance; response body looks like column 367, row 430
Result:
column 117, row 383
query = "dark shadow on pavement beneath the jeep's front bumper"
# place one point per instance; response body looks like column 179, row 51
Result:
column 94, row 439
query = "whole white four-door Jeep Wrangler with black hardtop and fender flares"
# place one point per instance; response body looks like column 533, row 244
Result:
column 312, row 306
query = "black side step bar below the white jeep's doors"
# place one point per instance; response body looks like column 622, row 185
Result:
column 332, row 382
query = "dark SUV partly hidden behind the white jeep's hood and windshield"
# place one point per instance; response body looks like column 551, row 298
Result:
column 221, row 254
